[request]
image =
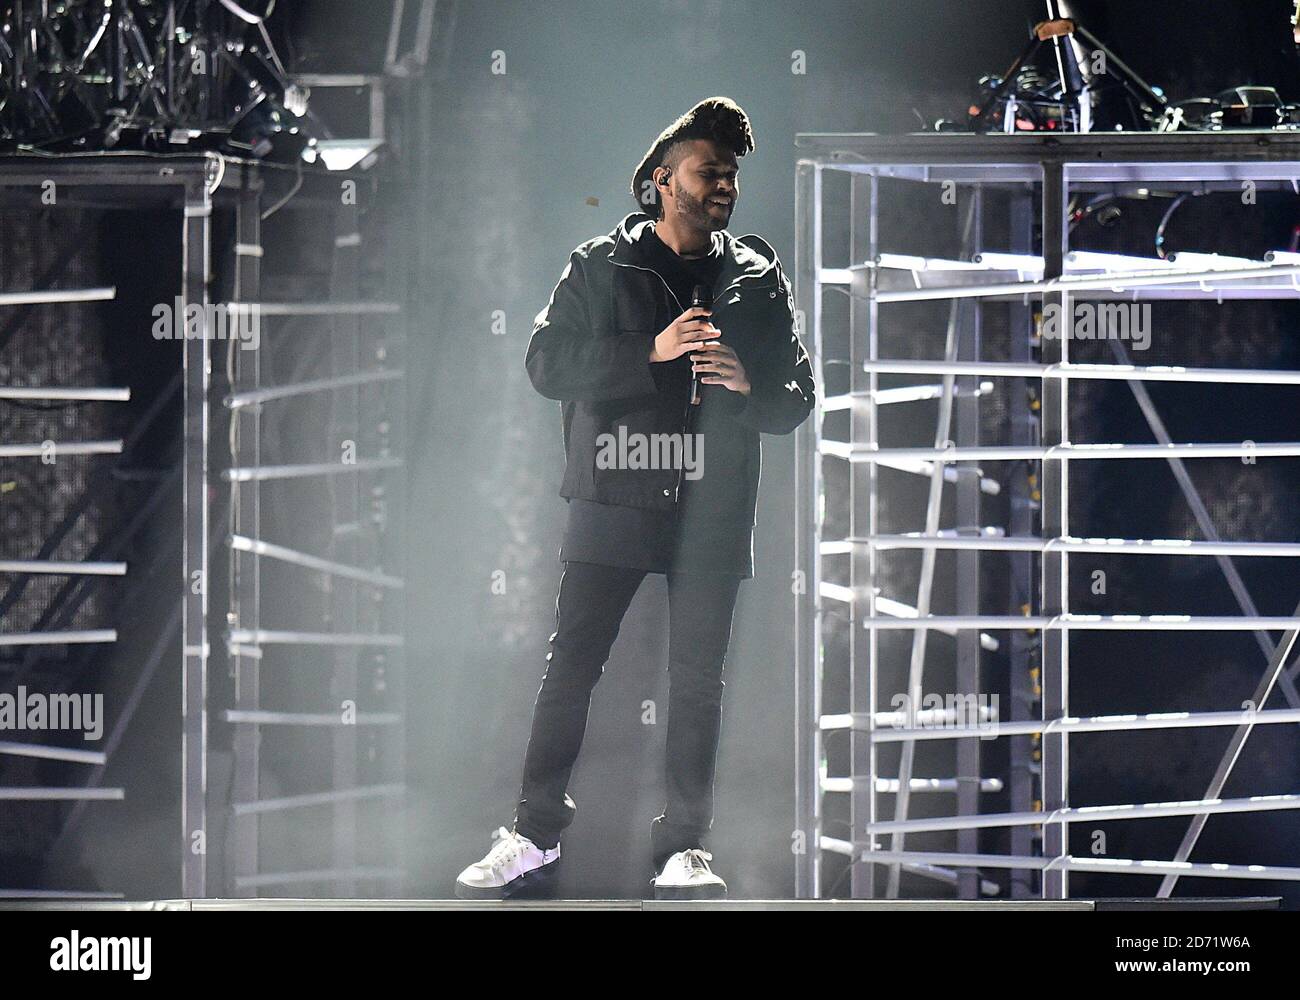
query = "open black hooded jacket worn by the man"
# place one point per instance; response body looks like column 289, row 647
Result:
column 591, row 350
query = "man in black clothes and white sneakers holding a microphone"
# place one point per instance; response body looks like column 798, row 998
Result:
column 619, row 345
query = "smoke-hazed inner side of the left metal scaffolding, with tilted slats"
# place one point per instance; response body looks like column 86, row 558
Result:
column 356, row 627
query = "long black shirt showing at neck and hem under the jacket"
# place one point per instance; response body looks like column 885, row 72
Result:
column 710, row 531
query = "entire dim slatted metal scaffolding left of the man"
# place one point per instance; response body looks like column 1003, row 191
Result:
column 213, row 609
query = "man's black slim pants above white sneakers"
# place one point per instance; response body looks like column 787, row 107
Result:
column 588, row 613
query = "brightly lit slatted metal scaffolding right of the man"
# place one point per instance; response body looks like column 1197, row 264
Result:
column 843, row 611
